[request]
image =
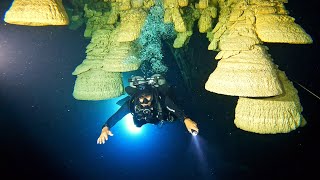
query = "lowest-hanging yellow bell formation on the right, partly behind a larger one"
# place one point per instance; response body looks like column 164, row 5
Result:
column 279, row 114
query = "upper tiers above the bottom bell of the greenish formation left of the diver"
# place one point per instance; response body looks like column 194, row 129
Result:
column 105, row 53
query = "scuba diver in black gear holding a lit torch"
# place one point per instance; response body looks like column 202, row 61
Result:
column 148, row 103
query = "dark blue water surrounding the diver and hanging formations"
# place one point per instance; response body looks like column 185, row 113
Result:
column 47, row 134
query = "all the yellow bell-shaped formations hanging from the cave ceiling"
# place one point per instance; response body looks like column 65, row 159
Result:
column 237, row 29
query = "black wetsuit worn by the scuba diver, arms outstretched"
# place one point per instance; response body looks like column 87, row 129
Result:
column 168, row 106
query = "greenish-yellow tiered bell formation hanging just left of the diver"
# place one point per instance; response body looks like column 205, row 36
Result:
column 99, row 75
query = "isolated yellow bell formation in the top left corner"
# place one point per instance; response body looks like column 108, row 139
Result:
column 37, row 13
